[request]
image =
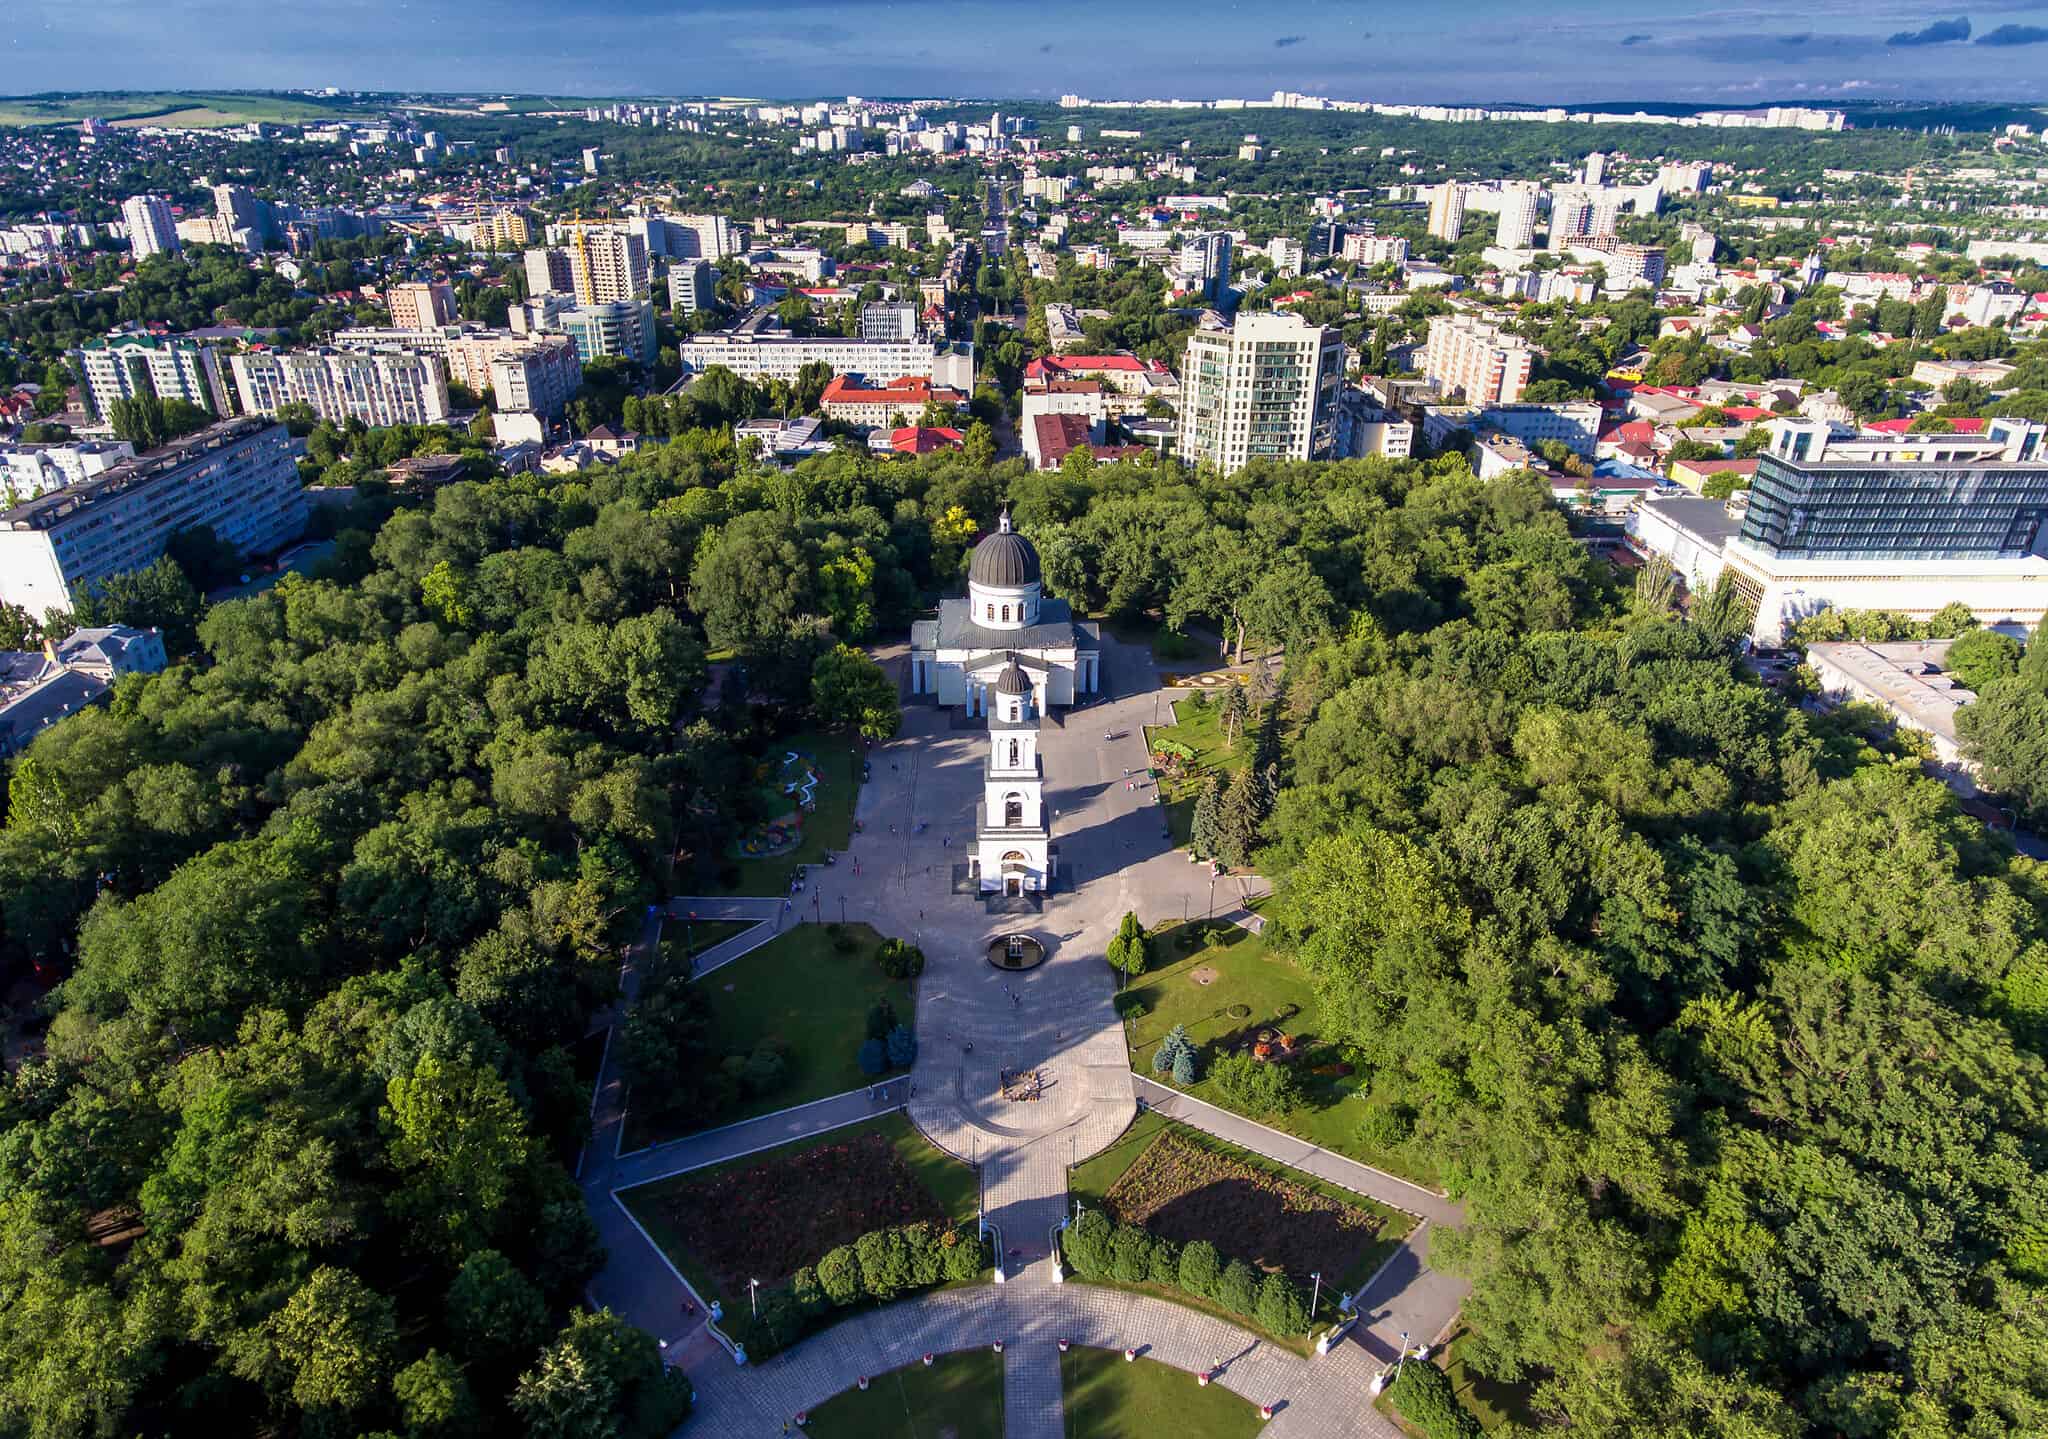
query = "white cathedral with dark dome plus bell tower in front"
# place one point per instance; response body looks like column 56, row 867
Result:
column 1009, row 654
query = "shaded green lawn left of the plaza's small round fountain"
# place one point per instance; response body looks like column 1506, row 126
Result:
column 804, row 992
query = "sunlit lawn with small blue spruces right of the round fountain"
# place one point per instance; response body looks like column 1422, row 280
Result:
column 1224, row 982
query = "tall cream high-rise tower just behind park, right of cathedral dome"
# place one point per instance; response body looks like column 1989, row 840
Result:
column 1263, row 390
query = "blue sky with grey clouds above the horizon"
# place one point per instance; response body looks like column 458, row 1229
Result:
column 1369, row 50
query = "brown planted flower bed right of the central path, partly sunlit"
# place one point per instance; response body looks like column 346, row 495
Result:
column 1185, row 1192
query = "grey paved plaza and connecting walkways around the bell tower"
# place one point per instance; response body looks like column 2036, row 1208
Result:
column 976, row 1024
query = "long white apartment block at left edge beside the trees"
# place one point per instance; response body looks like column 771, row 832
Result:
column 237, row 478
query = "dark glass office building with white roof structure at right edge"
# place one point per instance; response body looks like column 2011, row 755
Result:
column 1930, row 496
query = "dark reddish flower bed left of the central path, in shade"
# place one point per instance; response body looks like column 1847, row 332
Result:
column 777, row 1217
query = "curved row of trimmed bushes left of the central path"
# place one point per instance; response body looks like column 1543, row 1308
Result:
column 880, row 1266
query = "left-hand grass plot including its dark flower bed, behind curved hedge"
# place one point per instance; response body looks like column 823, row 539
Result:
column 769, row 1215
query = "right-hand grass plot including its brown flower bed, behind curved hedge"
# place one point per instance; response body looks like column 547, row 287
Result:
column 1183, row 1184
